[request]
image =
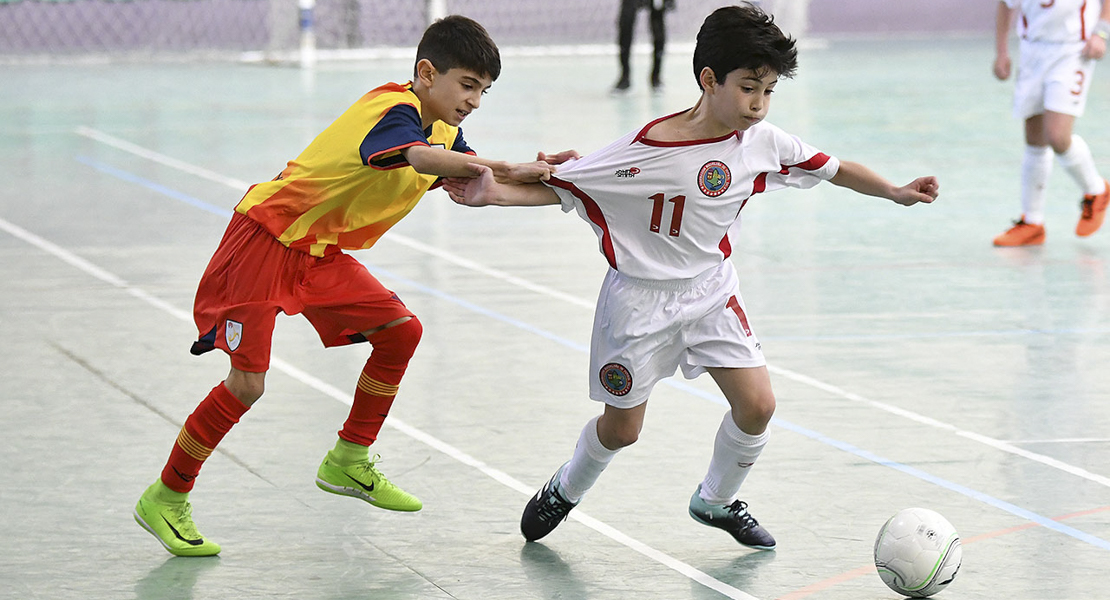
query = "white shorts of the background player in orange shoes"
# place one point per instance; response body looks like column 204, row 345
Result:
column 1052, row 77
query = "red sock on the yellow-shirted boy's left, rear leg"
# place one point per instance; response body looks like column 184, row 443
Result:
column 203, row 432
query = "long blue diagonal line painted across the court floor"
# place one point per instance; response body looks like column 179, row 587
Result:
column 975, row 495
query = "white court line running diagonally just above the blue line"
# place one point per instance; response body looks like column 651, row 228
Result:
column 997, row 444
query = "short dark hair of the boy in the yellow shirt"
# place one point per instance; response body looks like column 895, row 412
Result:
column 457, row 42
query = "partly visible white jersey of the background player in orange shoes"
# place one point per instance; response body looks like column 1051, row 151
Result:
column 1056, row 22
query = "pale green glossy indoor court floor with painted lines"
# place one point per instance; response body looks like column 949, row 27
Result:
column 914, row 363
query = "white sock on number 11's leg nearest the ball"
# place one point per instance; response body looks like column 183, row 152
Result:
column 734, row 453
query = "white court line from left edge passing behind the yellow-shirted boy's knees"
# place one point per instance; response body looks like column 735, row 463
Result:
column 345, row 398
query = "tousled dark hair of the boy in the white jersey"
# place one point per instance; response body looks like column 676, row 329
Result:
column 743, row 37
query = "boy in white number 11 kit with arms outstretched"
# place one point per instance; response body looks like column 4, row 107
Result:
column 662, row 201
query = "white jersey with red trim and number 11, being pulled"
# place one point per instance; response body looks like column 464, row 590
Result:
column 664, row 210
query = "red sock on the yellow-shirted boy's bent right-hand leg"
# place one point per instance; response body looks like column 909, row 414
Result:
column 378, row 385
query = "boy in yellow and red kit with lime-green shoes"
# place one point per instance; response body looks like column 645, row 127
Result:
column 284, row 253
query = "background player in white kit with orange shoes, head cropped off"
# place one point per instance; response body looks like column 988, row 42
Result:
column 1061, row 42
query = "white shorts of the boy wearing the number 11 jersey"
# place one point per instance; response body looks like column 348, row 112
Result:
column 644, row 331
